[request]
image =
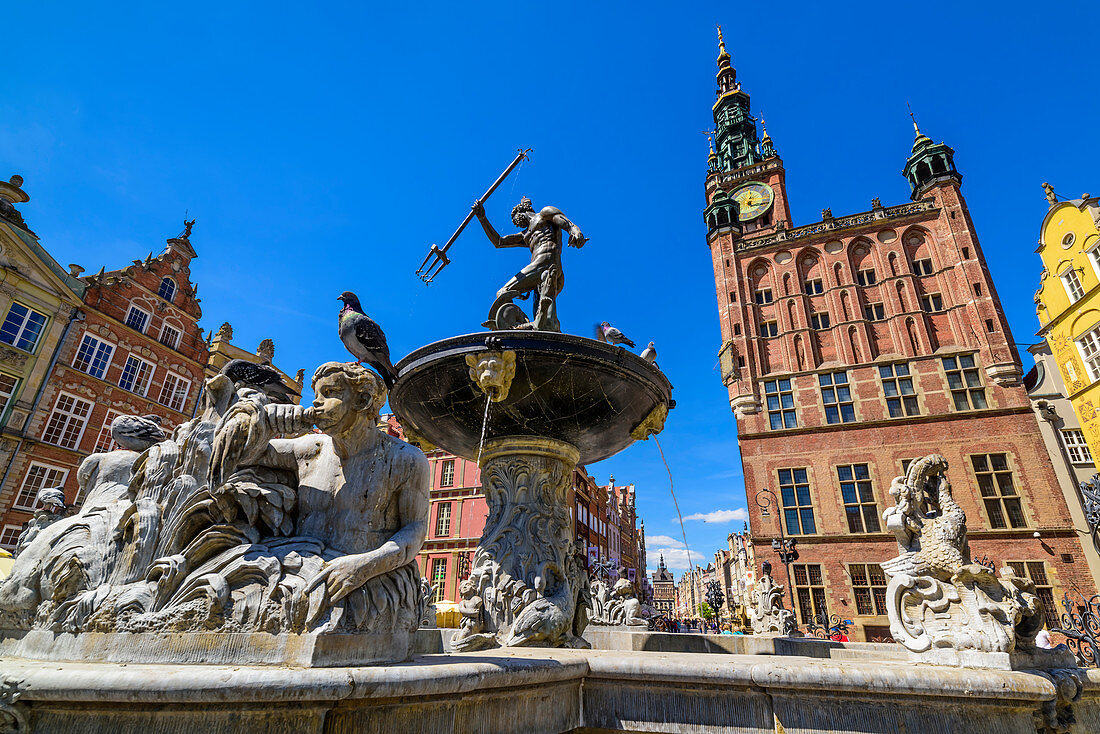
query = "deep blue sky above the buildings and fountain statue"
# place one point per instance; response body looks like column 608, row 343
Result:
column 325, row 150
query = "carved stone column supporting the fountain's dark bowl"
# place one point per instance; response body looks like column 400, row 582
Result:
column 526, row 586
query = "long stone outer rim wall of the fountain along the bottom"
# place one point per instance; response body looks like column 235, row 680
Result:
column 541, row 691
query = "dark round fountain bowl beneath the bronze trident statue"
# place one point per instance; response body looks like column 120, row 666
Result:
column 570, row 389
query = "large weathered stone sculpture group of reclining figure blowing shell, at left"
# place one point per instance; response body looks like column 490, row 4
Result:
column 226, row 527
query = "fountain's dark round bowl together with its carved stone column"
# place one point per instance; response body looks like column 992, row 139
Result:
column 553, row 401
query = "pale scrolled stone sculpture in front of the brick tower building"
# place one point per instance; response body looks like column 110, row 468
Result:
column 937, row 597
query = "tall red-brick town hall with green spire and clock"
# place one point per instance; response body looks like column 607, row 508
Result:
column 855, row 345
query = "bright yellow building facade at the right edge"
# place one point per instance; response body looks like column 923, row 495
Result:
column 1069, row 305
